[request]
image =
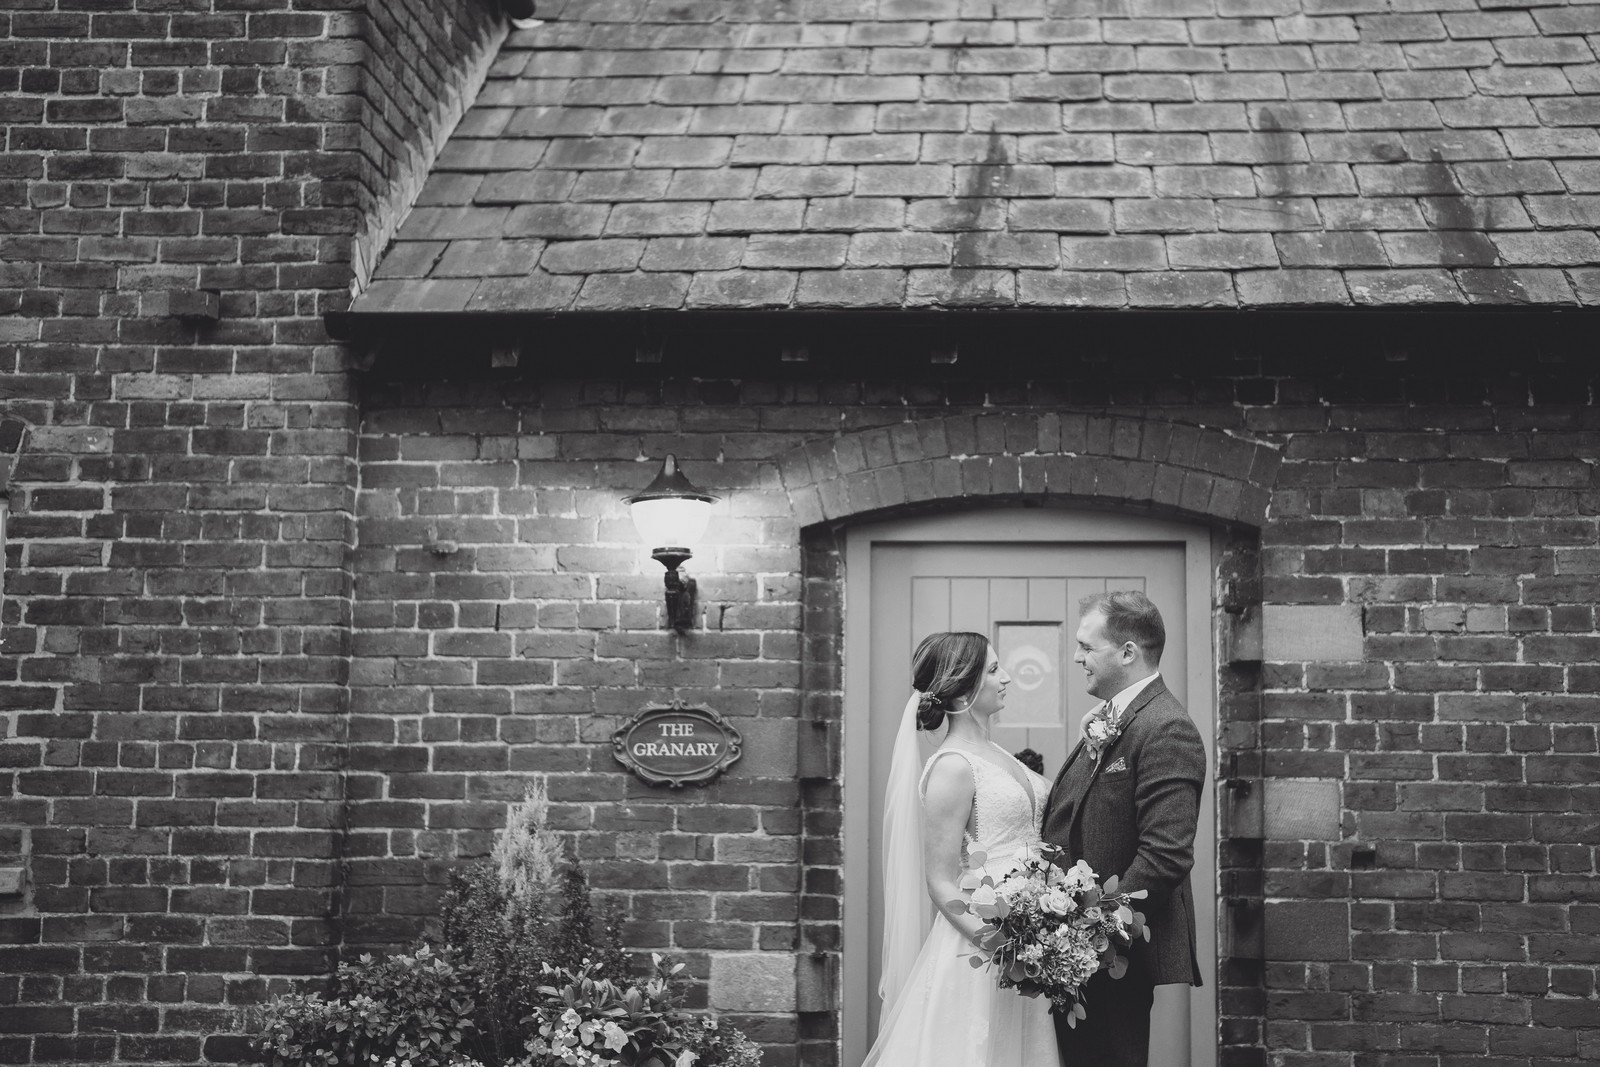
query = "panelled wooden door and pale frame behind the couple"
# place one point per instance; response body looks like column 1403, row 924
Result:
column 1002, row 578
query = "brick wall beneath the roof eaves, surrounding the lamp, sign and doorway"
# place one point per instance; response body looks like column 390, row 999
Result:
column 1439, row 503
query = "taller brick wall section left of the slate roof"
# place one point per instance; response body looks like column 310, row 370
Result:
column 180, row 196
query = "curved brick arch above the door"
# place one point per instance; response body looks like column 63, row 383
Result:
column 1126, row 460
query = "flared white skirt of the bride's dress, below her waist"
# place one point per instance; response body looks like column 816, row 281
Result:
column 956, row 1015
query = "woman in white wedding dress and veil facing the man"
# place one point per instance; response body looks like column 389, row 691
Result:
column 970, row 797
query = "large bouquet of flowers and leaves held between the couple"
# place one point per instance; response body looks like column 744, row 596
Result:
column 1050, row 927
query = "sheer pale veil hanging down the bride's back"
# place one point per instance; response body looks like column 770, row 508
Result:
column 908, row 913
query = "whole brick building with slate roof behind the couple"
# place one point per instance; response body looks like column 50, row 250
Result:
column 335, row 340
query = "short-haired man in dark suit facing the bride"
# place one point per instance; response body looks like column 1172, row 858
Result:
column 1127, row 802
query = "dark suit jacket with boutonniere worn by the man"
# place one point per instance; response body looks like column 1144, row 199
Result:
column 1140, row 825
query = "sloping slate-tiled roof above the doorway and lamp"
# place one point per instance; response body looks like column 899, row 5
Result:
column 710, row 154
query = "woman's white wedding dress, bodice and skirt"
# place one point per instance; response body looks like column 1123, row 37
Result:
column 951, row 1013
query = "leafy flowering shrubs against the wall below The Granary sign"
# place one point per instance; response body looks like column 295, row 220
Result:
column 527, row 977
